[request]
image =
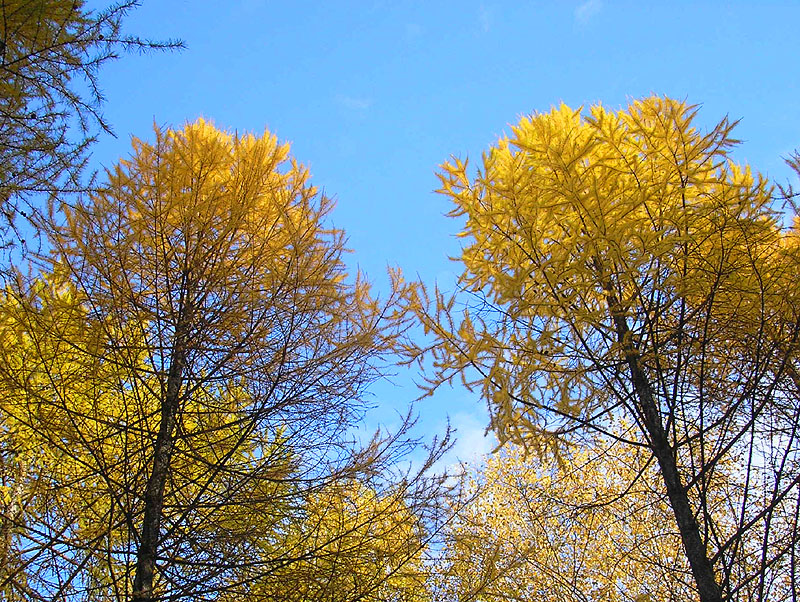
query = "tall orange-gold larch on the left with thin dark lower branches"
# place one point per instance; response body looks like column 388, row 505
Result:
column 194, row 361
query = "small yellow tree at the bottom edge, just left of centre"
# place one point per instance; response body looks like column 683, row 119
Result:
column 363, row 546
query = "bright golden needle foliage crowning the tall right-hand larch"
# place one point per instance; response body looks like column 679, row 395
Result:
column 576, row 212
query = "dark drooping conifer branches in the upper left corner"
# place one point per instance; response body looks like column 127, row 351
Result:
column 51, row 52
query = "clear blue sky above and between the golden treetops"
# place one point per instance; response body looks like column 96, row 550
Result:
column 375, row 95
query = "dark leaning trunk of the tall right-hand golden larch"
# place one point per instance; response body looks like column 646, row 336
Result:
column 693, row 545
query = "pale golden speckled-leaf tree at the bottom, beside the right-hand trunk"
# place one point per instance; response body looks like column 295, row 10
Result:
column 588, row 527
